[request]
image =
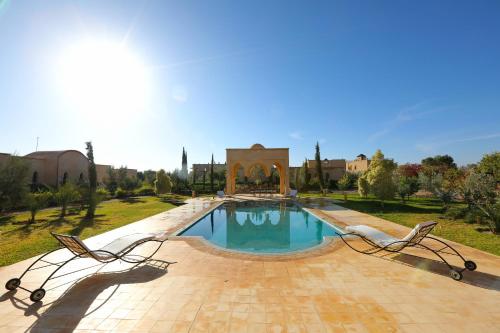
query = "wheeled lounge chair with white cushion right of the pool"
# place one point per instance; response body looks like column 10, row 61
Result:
column 380, row 241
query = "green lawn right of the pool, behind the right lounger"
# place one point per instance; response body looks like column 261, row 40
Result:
column 420, row 210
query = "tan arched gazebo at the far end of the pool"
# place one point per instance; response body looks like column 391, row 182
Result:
column 247, row 158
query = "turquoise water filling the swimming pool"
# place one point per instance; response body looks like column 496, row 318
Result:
column 261, row 227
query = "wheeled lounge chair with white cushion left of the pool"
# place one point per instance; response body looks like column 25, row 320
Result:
column 119, row 249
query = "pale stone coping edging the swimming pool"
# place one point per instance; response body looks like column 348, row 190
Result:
column 328, row 244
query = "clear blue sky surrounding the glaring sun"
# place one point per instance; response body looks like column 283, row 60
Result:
column 413, row 78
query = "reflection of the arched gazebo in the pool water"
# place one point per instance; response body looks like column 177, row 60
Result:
column 257, row 230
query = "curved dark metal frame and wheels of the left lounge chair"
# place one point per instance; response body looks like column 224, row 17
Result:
column 39, row 293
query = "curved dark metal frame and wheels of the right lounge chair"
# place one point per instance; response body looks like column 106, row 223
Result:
column 376, row 248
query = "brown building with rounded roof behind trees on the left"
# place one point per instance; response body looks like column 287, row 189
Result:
column 53, row 168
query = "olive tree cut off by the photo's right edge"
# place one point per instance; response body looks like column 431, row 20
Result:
column 483, row 195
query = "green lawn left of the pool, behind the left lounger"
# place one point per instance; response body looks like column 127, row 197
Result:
column 21, row 240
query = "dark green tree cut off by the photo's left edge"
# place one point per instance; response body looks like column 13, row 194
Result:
column 13, row 182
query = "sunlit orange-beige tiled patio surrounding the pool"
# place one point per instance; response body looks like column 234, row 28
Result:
column 331, row 289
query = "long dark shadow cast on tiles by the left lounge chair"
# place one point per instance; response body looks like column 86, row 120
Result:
column 79, row 301
